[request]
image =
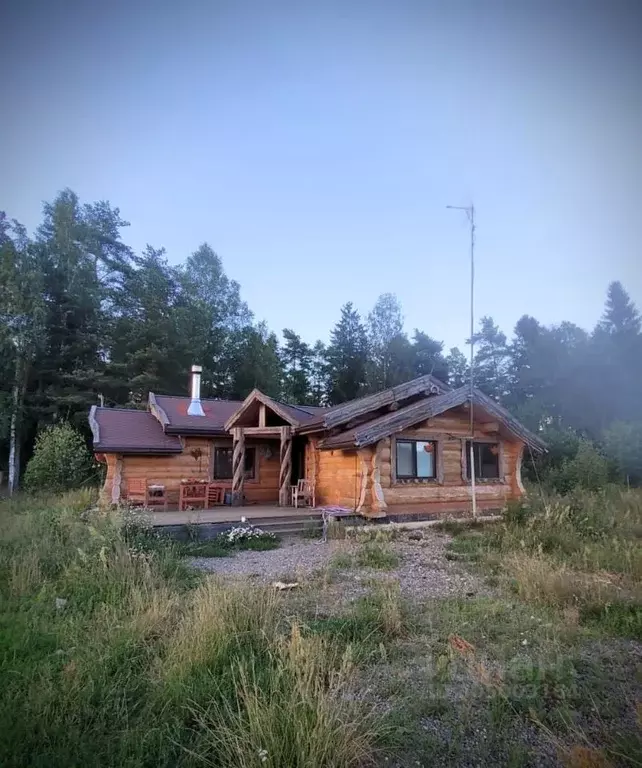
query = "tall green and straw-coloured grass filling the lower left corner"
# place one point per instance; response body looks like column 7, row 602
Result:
column 115, row 654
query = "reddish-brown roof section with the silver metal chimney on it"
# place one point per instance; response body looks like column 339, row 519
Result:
column 171, row 412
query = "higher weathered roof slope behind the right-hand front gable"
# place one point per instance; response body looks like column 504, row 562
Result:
column 345, row 412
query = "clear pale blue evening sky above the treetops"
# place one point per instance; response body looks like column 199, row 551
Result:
column 315, row 146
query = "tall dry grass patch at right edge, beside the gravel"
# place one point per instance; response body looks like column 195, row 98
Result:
column 580, row 551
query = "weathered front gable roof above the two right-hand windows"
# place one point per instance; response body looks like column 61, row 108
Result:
column 396, row 421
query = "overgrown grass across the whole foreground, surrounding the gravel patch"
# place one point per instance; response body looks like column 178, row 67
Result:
column 148, row 663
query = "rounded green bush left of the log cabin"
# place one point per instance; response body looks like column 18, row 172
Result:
column 60, row 461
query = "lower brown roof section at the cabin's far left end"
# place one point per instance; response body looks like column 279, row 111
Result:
column 125, row 430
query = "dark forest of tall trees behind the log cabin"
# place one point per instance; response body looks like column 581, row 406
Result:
column 84, row 319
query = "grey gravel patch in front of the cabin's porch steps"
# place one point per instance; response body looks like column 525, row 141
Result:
column 423, row 569
